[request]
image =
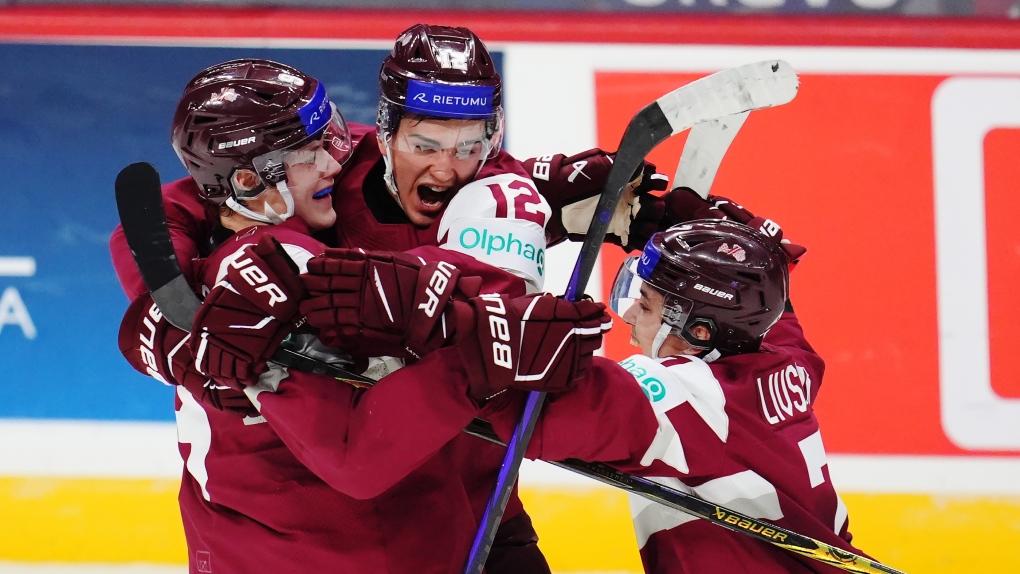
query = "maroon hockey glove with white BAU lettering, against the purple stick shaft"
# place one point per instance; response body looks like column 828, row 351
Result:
column 534, row 343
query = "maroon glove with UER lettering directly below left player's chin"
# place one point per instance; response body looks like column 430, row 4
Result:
column 247, row 315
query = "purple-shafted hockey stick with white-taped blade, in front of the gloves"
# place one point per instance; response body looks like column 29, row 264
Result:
column 732, row 91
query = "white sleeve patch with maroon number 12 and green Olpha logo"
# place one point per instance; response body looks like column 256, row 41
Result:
column 500, row 221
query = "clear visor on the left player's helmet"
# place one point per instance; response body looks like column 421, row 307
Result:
column 319, row 151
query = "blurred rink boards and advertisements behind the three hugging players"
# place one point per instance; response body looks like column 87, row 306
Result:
column 897, row 166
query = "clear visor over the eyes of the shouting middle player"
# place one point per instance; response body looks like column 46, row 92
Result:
column 431, row 139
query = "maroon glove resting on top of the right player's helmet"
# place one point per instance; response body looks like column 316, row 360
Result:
column 683, row 204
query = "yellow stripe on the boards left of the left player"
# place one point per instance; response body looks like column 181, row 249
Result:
column 91, row 520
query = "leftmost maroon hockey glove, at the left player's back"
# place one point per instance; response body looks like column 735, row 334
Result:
column 156, row 348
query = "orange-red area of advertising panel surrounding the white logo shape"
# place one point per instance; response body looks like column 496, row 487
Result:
column 847, row 169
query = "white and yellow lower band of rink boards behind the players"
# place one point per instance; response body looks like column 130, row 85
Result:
column 922, row 514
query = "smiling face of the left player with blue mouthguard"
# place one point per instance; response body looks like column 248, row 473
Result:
column 311, row 176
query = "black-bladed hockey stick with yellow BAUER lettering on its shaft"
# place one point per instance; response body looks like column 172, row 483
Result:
column 145, row 226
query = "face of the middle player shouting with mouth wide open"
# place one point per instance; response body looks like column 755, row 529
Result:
column 432, row 161
